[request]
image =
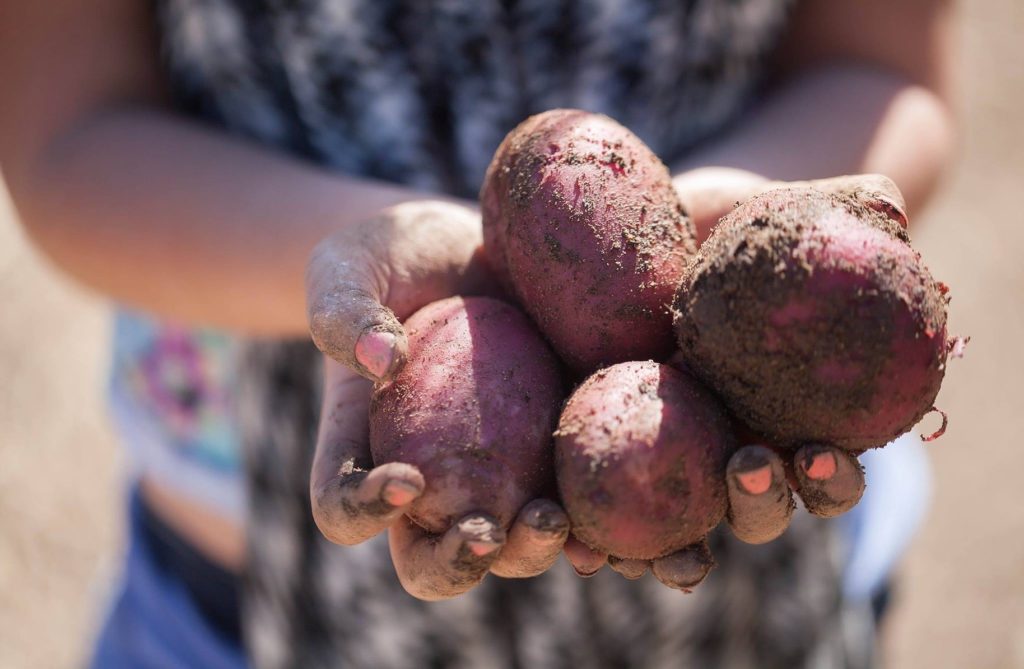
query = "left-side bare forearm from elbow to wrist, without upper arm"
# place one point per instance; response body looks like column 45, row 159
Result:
column 189, row 223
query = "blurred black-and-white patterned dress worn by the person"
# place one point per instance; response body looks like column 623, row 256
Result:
column 420, row 93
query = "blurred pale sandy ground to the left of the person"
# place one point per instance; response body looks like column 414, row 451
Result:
column 59, row 484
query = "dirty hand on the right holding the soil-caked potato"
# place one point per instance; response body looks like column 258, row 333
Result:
column 761, row 480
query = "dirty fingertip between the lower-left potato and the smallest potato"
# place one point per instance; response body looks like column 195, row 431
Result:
column 535, row 541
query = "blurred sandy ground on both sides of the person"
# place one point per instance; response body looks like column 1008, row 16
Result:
column 962, row 598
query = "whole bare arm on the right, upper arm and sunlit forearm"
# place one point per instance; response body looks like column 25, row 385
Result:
column 864, row 88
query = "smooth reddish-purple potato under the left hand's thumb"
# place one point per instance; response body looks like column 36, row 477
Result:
column 474, row 408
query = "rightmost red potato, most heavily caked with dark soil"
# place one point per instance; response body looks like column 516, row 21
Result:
column 816, row 321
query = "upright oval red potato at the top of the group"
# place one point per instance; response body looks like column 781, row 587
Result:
column 583, row 226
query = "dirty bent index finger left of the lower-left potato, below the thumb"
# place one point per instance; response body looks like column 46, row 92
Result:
column 352, row 499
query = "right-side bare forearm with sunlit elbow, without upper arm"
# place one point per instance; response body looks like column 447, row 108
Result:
column 841, row 120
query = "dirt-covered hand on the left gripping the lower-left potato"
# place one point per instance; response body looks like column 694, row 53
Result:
column 361, row 284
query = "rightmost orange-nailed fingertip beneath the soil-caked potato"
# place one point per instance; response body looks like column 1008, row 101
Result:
column 830, row 480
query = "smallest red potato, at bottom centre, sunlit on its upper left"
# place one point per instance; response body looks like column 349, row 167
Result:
column 641, row 458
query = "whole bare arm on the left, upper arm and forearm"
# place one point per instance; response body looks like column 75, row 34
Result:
column 142, row 205
